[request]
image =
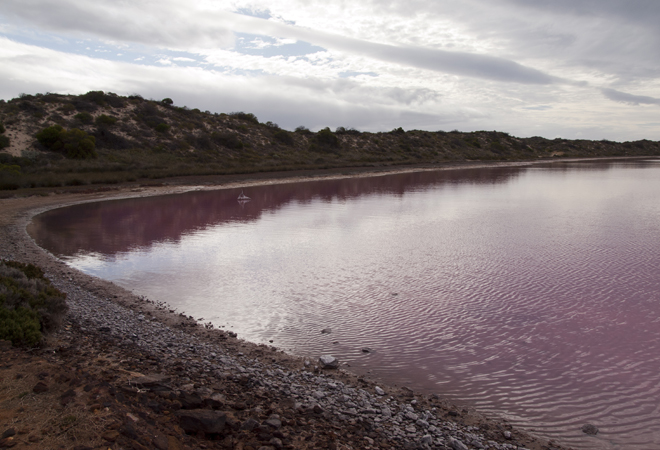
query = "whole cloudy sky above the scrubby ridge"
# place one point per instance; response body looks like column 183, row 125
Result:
column 575, row 69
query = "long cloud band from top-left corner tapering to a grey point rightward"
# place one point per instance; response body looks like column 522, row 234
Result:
column 160, row 27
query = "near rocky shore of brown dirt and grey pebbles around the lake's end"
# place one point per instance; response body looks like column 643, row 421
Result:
column 127, row 372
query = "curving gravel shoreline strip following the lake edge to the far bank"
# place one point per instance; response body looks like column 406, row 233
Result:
column 210, row 362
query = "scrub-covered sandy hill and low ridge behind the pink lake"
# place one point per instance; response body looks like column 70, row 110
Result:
column 99, row 138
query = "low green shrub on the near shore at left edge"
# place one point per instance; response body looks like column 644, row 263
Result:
column 29, row 304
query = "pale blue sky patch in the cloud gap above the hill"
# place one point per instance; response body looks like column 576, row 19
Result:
column 267, row 46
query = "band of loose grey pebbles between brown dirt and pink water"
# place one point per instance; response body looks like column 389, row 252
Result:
column 395, row 420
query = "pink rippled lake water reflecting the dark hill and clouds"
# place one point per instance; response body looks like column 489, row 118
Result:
column 529, row 292
